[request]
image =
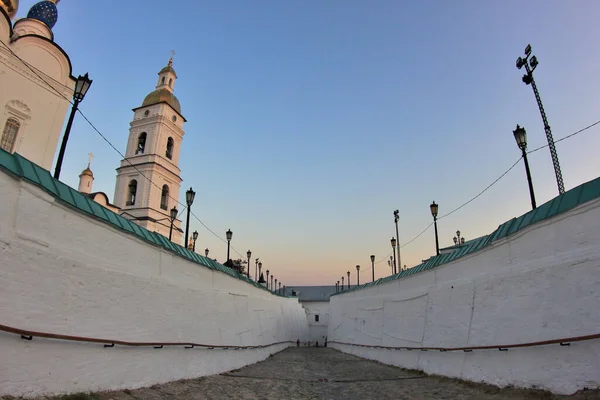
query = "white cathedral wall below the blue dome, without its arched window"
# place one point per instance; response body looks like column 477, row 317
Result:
column 25, row 96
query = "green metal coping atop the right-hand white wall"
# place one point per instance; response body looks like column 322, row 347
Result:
column 560, row 204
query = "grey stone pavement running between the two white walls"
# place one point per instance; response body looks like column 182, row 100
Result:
column 324, row 373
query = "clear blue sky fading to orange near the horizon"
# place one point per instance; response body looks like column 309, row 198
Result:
column 309, row 122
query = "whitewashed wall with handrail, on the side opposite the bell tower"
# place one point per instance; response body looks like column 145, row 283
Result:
column 541, row 284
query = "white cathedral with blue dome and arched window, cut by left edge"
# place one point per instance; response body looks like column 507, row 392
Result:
column 36, row 81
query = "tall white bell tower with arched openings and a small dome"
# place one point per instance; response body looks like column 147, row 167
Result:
column 153, row 148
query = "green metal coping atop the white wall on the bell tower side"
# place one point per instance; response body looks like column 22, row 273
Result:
column 22, row 168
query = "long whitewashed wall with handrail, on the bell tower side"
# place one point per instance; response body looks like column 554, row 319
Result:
column 64, row 272
